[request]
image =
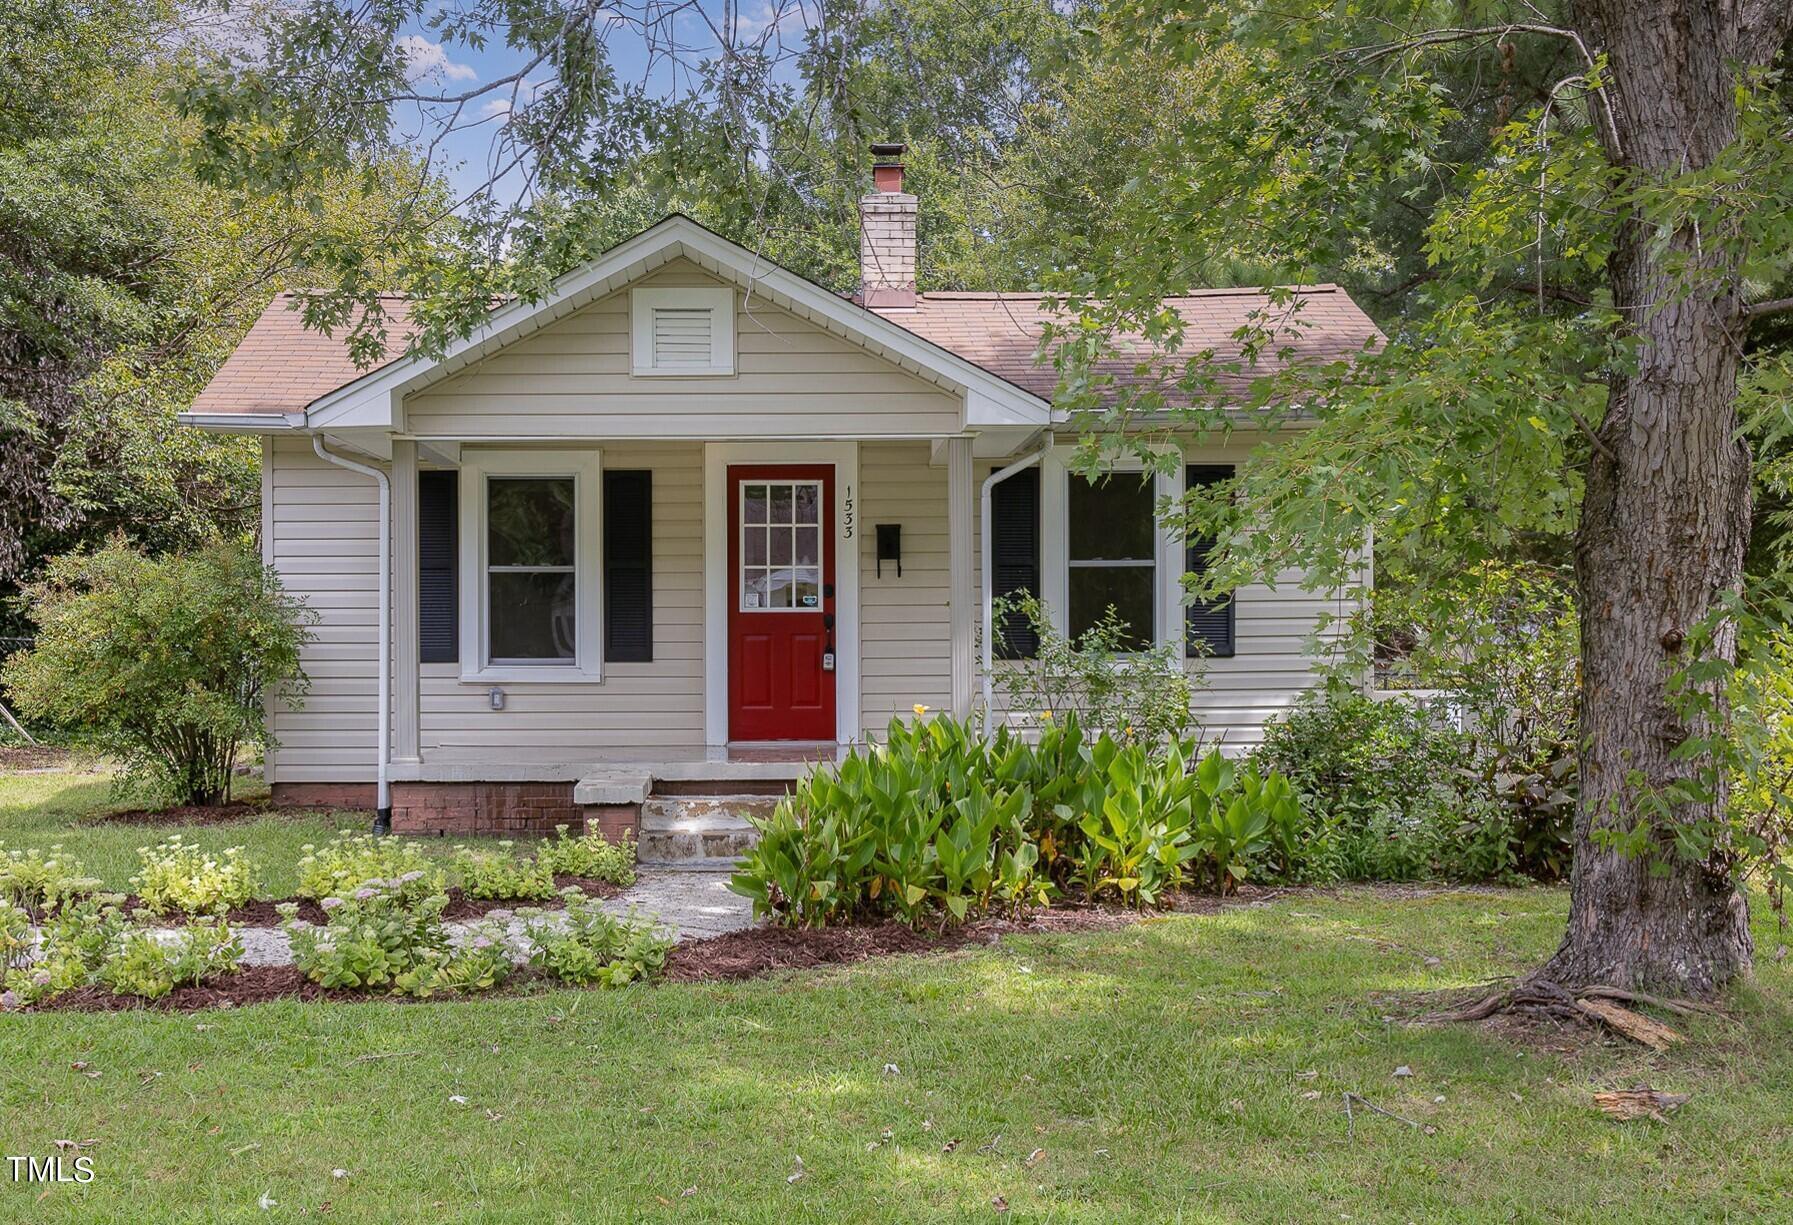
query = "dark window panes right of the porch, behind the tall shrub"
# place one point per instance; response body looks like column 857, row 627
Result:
column 1113, row 555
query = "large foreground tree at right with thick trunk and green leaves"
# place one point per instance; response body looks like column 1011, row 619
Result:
column 1568, row 360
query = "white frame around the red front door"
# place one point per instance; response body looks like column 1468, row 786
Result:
column 718, row 582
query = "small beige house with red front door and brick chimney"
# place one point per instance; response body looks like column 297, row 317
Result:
column 691, row 521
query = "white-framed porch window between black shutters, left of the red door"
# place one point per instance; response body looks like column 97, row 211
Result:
column 530, row 537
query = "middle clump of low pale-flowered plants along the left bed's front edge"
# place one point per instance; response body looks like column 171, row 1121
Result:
column 370, row 939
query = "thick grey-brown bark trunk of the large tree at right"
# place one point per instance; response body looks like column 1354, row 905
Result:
column 1667, row 514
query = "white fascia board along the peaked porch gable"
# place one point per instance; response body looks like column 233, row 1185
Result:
column 374, row 401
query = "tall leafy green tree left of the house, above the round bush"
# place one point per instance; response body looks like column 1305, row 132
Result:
column 125, row 282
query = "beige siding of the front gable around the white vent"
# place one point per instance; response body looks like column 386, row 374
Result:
column 573, row 381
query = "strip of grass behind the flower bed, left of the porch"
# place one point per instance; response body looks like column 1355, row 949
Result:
column 69, row 808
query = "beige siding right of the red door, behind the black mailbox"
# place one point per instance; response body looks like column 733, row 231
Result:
column 905, row 623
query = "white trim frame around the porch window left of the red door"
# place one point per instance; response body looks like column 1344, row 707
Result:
column 585, row 467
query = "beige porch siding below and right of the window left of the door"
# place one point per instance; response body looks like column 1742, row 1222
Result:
column 636, row 706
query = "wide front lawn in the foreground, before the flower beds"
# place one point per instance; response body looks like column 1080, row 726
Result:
column 1163, row 1072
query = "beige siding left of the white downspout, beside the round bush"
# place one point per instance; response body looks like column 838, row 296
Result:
column 322, row 534
